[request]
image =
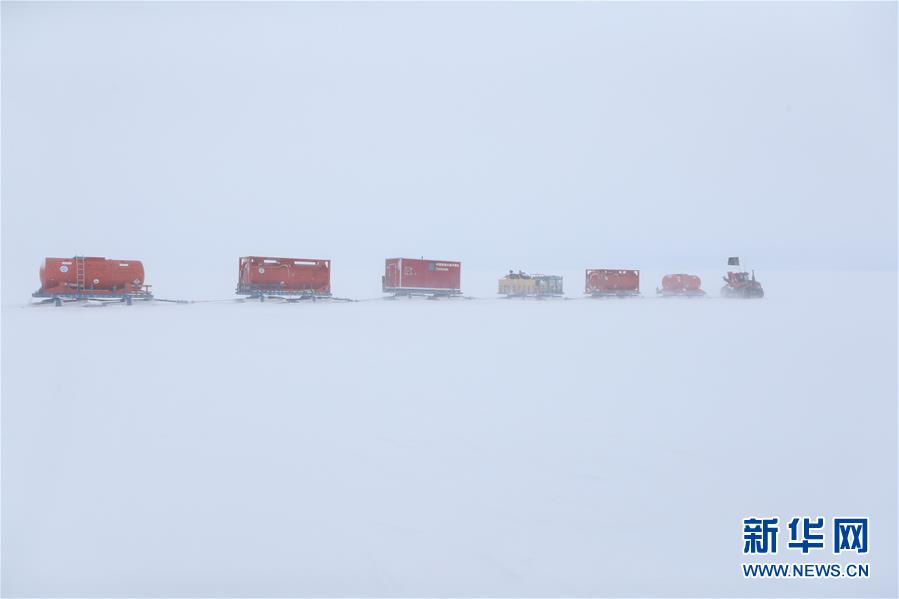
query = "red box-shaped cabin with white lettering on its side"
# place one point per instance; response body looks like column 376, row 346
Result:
column 411, row 276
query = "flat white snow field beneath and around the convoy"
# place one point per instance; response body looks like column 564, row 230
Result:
column 446, row 448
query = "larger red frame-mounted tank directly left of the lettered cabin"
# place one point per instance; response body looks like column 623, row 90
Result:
column 264, row 274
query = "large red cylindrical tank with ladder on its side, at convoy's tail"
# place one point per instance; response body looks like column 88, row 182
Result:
column 90, row 275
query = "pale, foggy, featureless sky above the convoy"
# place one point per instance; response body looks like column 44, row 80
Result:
column 645, row 136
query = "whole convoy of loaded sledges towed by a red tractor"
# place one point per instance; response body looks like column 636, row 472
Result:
column 294, row 279
